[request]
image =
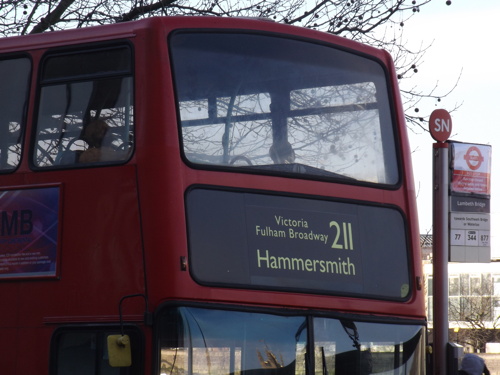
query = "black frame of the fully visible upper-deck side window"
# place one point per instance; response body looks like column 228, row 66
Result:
column 41, row 83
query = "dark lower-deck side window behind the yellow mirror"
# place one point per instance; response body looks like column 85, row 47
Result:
column 84, row 351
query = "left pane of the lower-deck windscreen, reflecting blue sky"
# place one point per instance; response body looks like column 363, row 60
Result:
column 200, row 341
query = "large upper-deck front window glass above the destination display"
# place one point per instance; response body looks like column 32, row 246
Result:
column 274, row 105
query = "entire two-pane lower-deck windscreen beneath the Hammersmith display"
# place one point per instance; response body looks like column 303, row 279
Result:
column 196, row 341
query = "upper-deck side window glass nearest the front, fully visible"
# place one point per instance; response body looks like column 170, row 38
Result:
column 85, row 111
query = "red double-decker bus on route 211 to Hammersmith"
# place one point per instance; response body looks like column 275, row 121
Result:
column 205, row 196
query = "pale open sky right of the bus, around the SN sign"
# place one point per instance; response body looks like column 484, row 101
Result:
column 464, row 48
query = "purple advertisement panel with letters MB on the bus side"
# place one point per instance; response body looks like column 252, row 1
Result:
column 29, row 221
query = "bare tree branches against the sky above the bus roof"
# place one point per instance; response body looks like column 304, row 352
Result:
column 375, row 22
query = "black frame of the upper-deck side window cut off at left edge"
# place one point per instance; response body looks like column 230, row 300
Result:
column 24, row 119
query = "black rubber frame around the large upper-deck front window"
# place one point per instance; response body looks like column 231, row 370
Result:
column 389, row 86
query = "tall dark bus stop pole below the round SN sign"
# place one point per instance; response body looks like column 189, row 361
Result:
column 440, row 240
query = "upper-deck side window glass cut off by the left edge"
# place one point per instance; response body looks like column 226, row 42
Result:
column 14, row 88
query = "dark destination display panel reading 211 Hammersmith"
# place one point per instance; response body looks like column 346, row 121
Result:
column 297, row 244
